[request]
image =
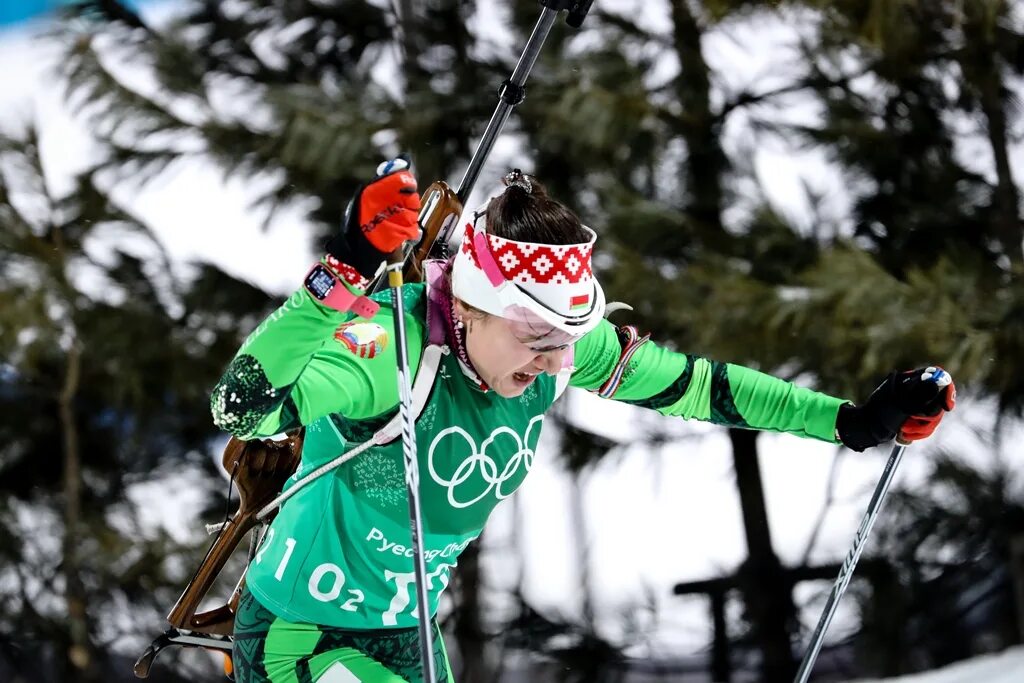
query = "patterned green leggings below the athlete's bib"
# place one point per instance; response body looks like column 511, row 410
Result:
column 270, row 650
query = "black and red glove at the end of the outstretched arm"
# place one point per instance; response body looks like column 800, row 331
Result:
column 908, row 405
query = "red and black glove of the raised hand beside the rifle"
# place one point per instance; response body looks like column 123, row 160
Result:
column 380, row 219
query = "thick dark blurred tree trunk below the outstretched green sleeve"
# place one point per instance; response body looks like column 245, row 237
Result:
column 766, row 590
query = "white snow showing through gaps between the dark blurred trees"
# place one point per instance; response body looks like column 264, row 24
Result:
column 655, row 518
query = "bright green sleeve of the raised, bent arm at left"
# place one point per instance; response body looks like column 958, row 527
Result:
column 307, row 361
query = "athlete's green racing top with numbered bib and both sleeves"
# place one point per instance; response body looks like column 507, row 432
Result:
column 338, row 554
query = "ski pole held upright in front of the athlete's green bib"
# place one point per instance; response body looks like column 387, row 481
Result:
column 412, row 473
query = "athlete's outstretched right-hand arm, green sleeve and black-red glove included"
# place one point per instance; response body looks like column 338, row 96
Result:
column 619, row 364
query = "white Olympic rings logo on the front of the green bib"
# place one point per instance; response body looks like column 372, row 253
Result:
column 479, row 459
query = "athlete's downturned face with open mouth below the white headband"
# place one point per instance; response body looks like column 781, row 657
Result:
column 502, row 355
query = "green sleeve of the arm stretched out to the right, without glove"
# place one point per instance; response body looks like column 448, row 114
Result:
column 694, row 388
